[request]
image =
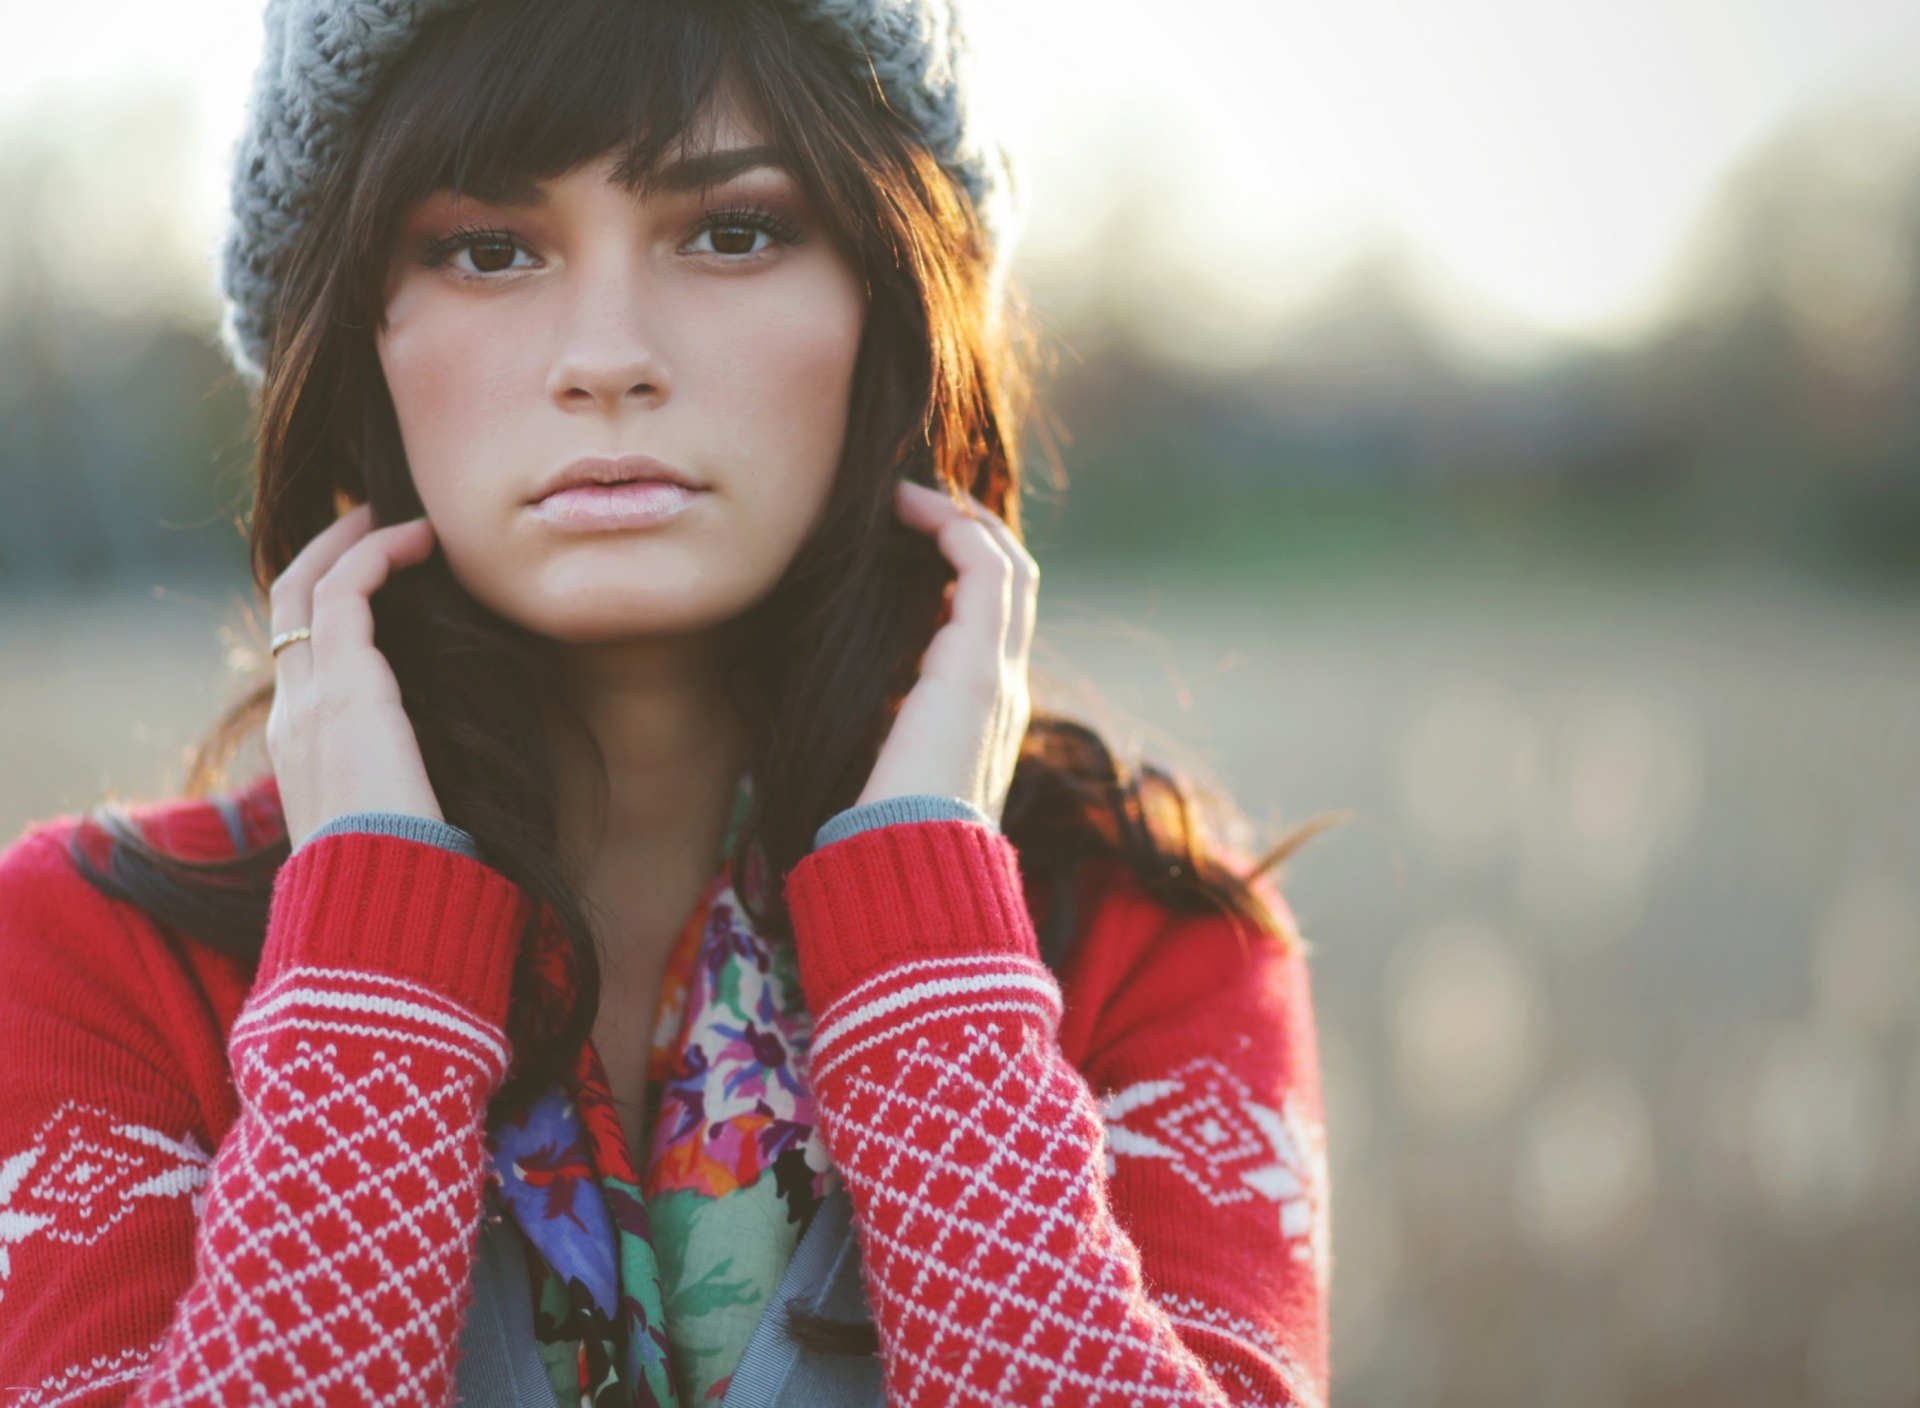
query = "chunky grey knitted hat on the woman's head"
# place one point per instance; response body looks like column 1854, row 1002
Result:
column 325, row 59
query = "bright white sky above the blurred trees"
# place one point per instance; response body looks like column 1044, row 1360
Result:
column 1543, row 158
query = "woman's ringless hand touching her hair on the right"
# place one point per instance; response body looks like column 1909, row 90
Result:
column 961, row 727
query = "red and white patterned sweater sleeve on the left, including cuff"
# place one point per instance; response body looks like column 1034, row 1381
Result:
column 324, row 1251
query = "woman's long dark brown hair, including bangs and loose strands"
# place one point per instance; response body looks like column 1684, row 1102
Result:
column 504, row 93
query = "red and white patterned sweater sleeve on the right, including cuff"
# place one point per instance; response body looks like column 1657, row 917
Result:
column 1024, row 1242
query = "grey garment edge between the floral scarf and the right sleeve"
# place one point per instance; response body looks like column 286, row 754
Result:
column 825, row 1278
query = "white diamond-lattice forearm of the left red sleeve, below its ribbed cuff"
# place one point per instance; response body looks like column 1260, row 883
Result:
column 337, row 1242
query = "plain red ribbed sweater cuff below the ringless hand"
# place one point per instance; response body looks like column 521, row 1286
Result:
column 919, row 890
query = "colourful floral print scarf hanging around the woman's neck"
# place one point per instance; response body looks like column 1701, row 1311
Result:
column 650, row 1284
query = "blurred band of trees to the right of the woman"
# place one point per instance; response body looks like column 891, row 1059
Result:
column 1769, row 416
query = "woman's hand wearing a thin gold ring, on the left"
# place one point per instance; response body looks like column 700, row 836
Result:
column 339, row 739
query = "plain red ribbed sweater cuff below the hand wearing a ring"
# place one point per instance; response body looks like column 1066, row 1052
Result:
column 400, row 910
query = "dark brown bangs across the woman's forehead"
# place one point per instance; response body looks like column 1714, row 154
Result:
column 502, row 95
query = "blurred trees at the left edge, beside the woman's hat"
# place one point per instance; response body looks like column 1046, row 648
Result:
column 118, row 414
